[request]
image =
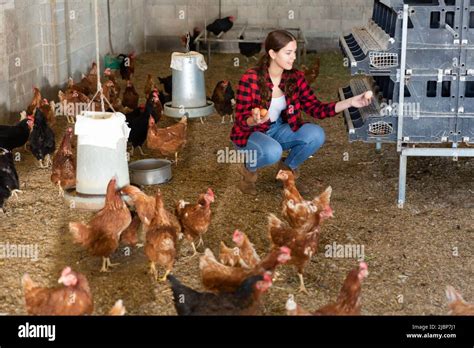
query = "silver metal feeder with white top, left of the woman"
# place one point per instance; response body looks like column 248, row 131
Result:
column 189, row 90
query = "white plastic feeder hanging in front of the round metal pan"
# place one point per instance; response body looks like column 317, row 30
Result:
column 101, row 155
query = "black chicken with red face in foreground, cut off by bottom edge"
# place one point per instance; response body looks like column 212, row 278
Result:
column 244, row 301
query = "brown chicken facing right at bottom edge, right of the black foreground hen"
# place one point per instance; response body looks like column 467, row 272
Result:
column 348, row 301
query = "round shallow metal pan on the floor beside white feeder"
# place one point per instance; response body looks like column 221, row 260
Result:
column 150, row 171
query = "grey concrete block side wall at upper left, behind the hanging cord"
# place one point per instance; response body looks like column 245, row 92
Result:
column 43, row 42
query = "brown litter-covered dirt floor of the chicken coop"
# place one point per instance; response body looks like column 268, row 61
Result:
column 412, row 253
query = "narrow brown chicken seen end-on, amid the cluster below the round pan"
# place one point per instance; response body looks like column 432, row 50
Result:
column 161, row 239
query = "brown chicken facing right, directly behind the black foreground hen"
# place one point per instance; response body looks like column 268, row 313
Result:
column 218, row 277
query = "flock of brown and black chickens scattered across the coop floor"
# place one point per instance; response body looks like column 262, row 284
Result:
column 237, row 279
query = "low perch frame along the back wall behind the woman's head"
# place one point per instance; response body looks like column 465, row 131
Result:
column 258, row 36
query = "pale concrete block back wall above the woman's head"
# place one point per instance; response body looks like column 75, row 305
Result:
column 322, row 21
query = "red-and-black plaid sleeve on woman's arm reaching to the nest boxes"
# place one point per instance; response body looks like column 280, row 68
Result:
column 310, row 104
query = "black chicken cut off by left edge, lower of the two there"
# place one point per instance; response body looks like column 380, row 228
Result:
column 9, row 183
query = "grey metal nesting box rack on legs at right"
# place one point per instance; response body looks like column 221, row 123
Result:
column 417, row 56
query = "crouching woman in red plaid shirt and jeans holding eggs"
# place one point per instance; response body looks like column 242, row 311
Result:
column 275, row 86
